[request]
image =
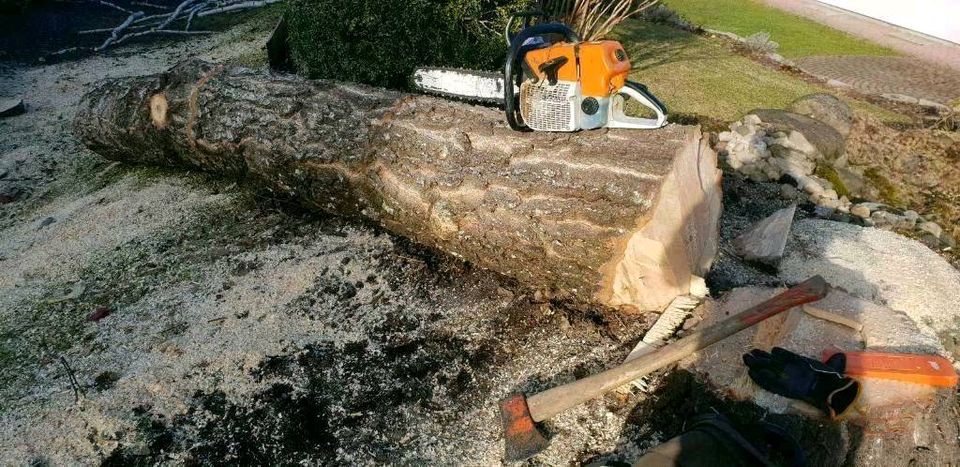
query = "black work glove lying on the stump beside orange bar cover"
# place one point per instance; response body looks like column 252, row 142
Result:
column 821, row 385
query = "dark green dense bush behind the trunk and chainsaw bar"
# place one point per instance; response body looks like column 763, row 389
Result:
column 381, row 42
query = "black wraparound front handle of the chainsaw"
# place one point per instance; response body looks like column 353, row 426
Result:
column 513, row 72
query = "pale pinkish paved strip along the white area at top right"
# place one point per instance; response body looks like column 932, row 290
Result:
column 902, row 40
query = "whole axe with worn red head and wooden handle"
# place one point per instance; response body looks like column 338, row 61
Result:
column 520, row 414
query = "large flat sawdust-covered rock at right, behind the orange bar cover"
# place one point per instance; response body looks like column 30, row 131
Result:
column 876, row 265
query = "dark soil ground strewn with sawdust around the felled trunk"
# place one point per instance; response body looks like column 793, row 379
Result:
column 152, row 316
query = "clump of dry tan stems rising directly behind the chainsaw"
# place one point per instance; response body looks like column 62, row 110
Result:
column 594, row 19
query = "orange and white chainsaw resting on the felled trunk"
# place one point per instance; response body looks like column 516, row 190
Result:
column 552, row 81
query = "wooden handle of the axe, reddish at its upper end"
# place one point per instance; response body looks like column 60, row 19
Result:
column 548, row 403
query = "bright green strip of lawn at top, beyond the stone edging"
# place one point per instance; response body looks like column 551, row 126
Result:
column 798, row 37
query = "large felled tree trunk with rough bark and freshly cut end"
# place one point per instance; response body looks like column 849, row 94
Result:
column 619, row 218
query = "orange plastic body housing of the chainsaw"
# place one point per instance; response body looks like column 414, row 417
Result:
column 600, row 67
